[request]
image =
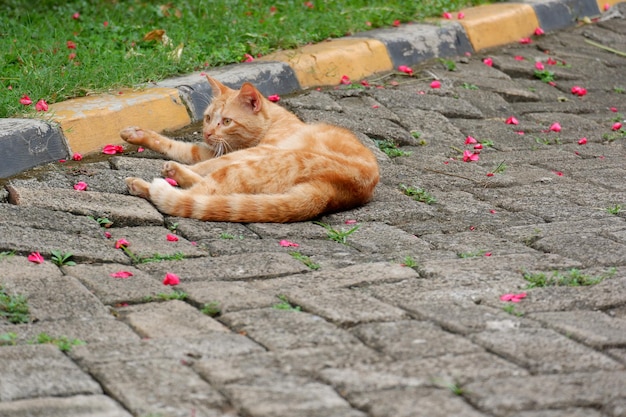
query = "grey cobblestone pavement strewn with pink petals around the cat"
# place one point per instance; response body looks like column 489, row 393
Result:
column 403, row 319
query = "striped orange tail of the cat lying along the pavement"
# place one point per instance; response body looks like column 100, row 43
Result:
column 302, row 202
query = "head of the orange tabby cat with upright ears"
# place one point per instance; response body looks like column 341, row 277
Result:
column 235, row 119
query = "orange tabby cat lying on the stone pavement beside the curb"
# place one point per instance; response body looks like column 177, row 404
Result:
column 259, row 163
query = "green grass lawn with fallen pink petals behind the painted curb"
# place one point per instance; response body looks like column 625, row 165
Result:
column 204, row 33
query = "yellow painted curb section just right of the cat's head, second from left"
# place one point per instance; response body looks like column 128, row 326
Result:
column 327, row 62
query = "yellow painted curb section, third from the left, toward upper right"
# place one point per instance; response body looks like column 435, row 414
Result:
column 498, row 24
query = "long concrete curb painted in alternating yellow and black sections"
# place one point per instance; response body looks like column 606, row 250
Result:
column 177, row 102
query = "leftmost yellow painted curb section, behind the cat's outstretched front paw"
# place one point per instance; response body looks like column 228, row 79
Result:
column 89, row 123
